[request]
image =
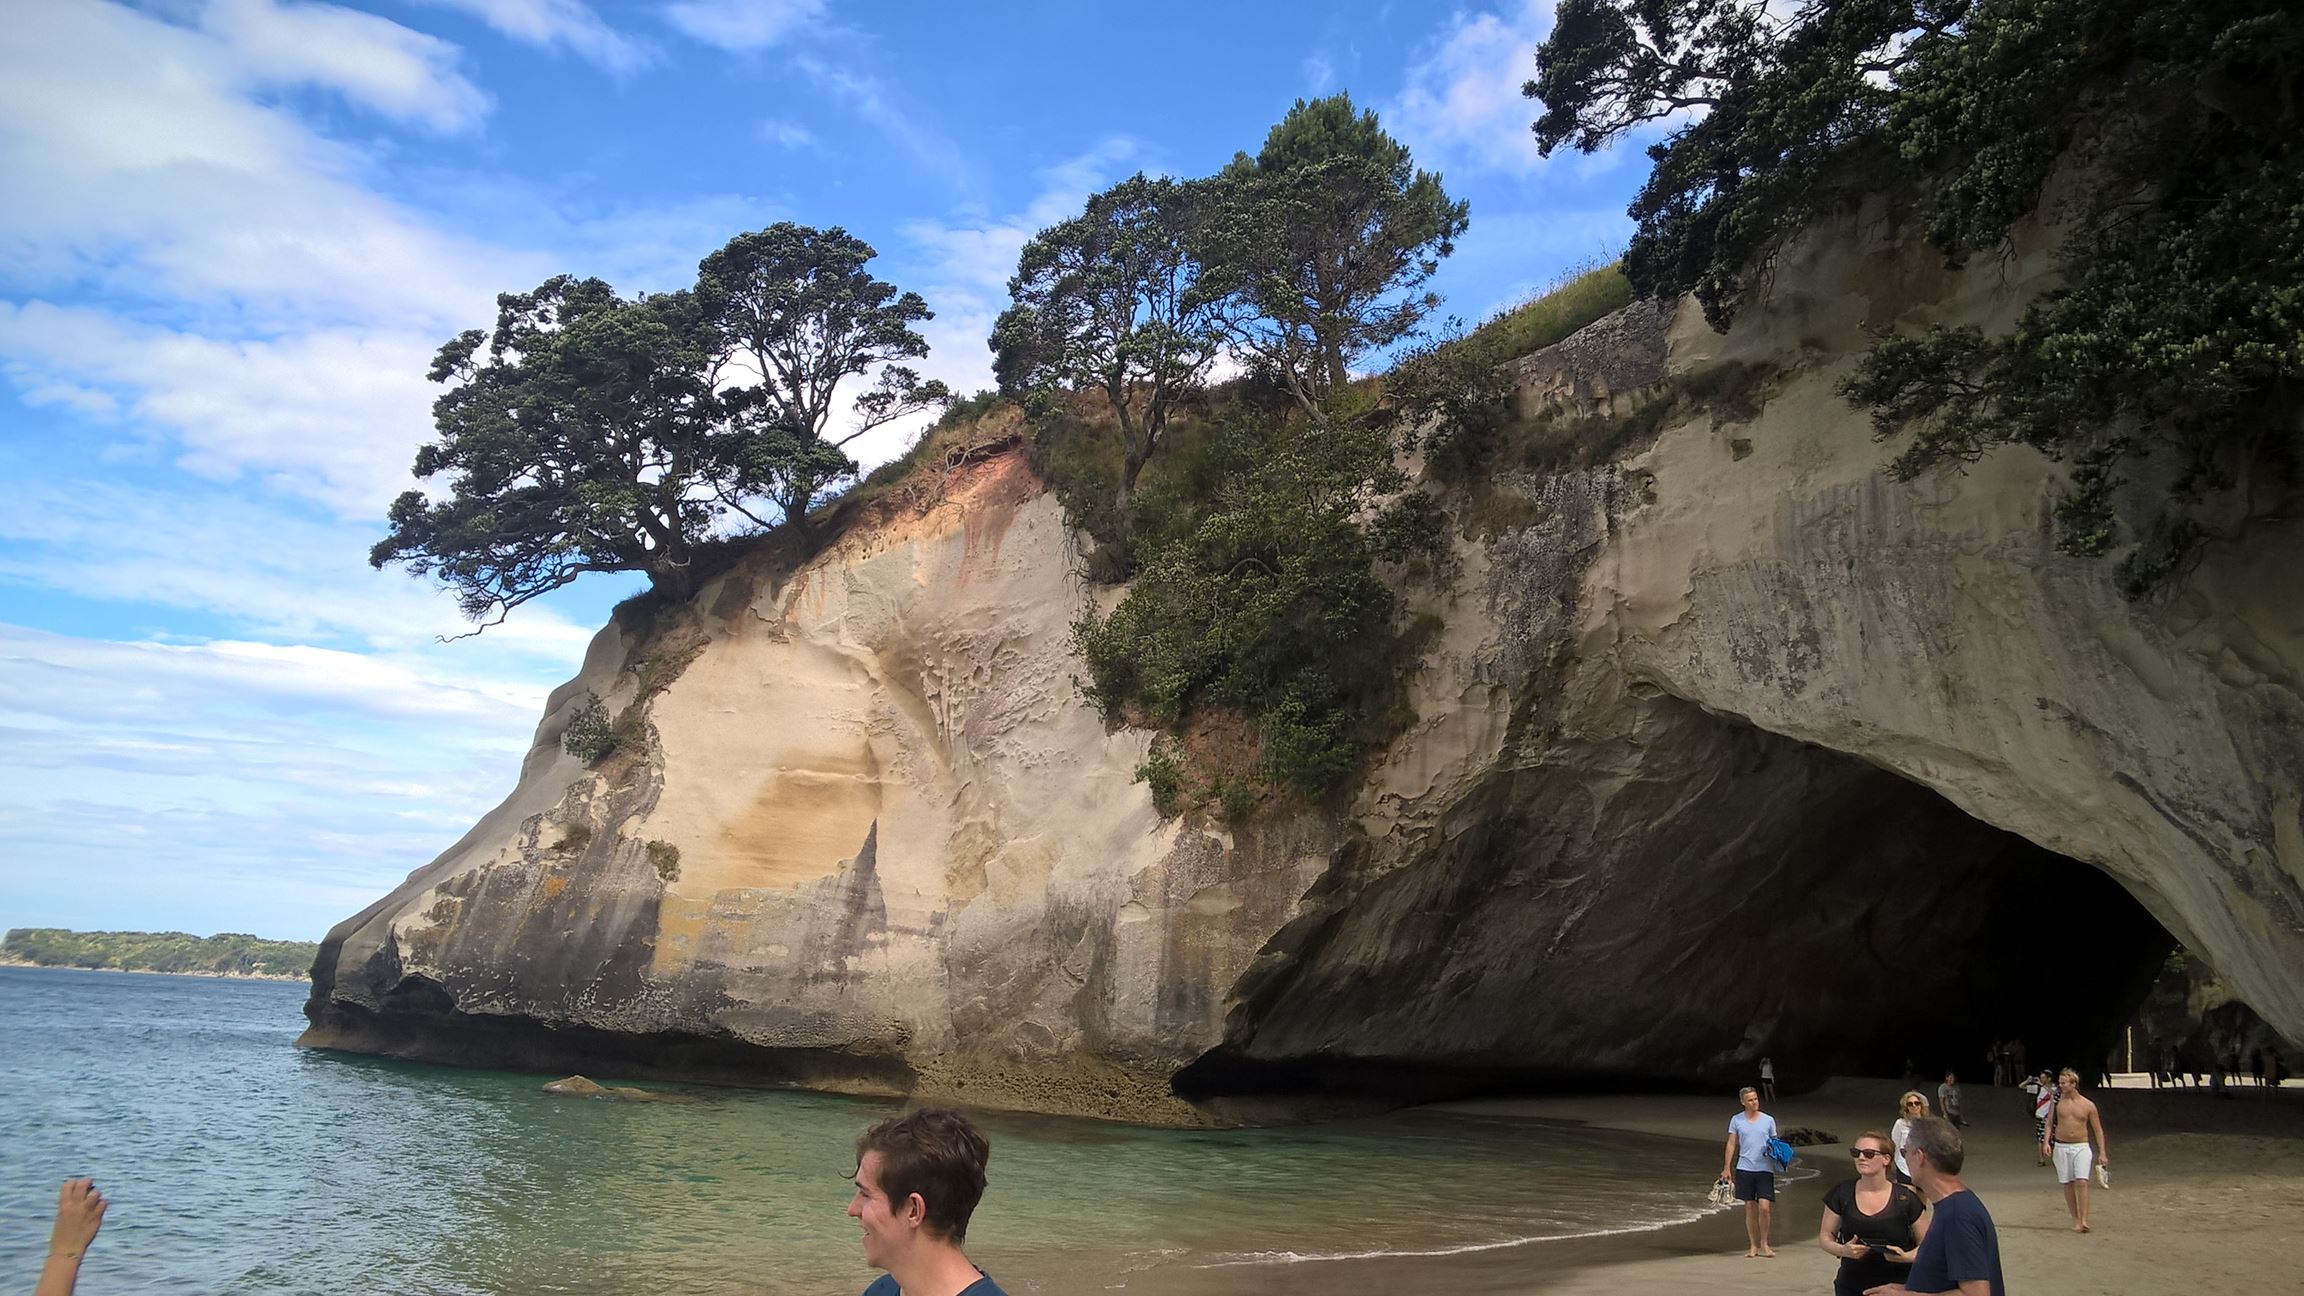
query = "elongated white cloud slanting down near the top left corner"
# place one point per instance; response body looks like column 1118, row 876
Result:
column 372, row 61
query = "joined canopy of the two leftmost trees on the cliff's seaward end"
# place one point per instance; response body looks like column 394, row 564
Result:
column 589, row 432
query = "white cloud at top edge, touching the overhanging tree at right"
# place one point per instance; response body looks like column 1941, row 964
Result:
column 1462, row 103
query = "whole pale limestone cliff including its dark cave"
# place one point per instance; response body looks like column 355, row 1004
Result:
column 1727, row 748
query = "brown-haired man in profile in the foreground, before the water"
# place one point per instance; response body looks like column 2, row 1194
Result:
column 918, row 1182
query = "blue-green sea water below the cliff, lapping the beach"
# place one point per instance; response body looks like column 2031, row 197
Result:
column 238, row 1163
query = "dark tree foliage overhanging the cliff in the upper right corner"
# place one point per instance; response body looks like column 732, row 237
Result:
column 2174, row 128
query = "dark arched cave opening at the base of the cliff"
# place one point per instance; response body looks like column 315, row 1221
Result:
column 1607, row 919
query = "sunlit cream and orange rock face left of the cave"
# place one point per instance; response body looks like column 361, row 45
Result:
column 907, row 857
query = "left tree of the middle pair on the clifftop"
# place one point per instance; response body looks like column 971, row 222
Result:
column 1116, row 301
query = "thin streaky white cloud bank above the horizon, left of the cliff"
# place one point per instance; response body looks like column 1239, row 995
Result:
column 234, row 785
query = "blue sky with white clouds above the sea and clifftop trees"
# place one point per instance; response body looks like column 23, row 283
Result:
column 238, row 229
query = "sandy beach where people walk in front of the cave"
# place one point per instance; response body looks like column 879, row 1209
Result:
column 2208, row 1196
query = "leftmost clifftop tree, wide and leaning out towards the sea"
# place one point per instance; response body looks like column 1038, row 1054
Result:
column 575, row 446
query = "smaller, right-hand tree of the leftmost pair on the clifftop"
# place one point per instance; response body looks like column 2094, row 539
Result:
column 796, row 315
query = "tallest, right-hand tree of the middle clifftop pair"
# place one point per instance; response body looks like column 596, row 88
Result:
column 1328, row 239
